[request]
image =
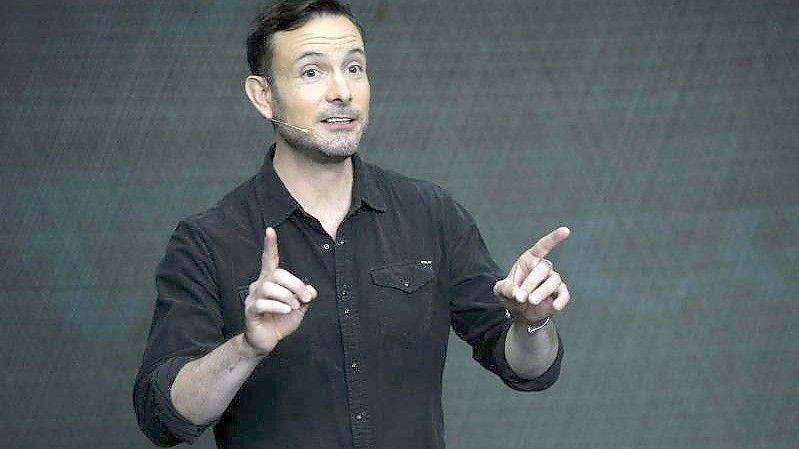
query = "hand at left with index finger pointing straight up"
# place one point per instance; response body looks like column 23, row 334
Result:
column 276, row 303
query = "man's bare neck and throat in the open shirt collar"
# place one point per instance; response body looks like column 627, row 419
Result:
column 322, row 187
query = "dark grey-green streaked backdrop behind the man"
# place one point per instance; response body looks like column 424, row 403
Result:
column 664, row 133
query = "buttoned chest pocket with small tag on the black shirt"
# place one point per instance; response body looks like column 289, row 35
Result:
column 405, row 294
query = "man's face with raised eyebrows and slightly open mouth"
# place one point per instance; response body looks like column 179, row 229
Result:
column 320, row 84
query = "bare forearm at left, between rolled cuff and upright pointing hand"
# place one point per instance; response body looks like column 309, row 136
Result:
column 204, row 387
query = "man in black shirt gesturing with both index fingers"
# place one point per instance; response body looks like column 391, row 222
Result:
column 311, row 306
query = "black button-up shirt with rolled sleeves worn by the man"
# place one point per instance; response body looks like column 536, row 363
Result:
column 364, row 368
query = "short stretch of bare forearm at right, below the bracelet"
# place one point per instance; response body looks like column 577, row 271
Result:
column 531, row 354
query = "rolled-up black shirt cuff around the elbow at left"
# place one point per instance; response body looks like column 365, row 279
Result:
column 178, row 426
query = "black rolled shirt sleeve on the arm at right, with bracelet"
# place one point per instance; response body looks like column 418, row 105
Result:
column 476, row 315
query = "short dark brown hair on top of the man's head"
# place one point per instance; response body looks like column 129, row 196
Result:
column 287, row 15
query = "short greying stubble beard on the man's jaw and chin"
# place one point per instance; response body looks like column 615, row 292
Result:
column 326, row 150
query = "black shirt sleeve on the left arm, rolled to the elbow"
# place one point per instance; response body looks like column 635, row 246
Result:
column 187, row 324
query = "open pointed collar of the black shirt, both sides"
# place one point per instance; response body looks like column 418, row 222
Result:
column 277, row 204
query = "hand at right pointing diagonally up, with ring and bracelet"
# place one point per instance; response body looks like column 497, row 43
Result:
column 533, row 289
